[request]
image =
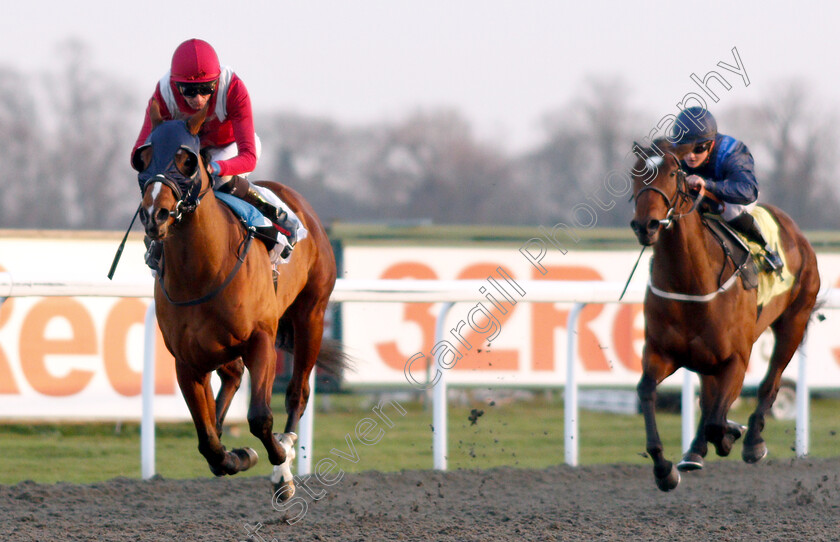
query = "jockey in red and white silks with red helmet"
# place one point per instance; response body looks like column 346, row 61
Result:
column 227, row 136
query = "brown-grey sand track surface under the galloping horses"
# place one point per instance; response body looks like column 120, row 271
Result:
column 778, row 500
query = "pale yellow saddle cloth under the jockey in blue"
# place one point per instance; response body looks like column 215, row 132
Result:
column 769, row 284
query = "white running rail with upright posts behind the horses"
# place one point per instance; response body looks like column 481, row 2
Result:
column 407, row 291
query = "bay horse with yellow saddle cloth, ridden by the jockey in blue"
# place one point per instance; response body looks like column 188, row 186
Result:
column 704, row 327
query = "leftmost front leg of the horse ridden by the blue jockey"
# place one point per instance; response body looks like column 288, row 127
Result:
column 656, row 369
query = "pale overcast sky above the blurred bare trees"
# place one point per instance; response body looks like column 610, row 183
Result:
column 502, row 63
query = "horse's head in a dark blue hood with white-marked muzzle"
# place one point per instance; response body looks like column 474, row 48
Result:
column 171, row 172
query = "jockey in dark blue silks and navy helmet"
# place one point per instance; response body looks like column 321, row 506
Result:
column 724, row 167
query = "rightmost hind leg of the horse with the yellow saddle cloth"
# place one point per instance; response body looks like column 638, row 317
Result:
column 788, row 331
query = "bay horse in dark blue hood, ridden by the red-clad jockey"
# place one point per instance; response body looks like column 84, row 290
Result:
column 217, row 304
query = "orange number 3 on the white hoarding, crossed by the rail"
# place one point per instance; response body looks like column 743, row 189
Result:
column 417, row 313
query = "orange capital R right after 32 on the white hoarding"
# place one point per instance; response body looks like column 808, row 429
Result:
column 547, row 317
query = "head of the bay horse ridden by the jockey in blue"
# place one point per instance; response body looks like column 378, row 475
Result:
column 658, row 191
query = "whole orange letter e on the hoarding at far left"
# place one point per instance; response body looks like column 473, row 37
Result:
column 35, row 347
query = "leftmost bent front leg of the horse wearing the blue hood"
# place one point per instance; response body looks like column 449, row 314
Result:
column 199, row 397
